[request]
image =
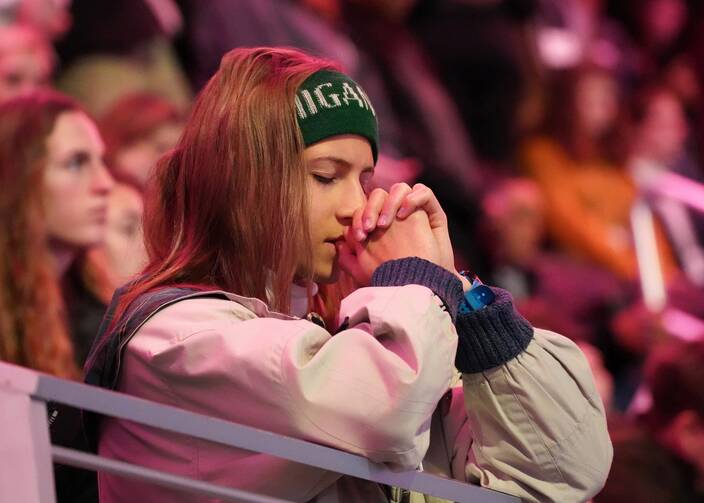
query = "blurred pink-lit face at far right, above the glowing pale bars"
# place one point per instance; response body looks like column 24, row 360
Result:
column 663, row 131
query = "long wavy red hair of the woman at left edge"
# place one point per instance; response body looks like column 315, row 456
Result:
column 33, row 329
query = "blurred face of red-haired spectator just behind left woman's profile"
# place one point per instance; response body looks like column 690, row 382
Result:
column 137, row 159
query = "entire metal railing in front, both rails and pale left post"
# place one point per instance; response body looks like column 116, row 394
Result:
column 26, row 453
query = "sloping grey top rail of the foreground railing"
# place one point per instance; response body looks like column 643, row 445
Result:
column 169, row 418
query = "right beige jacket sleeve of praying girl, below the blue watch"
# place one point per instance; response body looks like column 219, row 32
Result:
column 534, row 427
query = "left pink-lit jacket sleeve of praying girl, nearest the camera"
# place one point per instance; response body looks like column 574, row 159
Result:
column 370, row 389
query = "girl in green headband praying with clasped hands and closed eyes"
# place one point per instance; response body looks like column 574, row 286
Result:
column 266, row 196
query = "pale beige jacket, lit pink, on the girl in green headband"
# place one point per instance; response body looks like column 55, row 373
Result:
column 533, row 427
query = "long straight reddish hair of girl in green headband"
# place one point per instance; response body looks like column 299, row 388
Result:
column 227, row 208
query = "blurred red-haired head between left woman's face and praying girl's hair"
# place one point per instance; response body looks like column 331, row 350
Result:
column 138, row 129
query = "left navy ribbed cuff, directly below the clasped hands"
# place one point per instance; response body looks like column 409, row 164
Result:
column 418, row 271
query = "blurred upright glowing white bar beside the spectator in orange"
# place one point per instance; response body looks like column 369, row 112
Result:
column 652, row 281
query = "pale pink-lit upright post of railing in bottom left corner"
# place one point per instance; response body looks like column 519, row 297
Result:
column 25, row 463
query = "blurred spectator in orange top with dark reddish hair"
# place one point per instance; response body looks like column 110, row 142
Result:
column 578, row 162
